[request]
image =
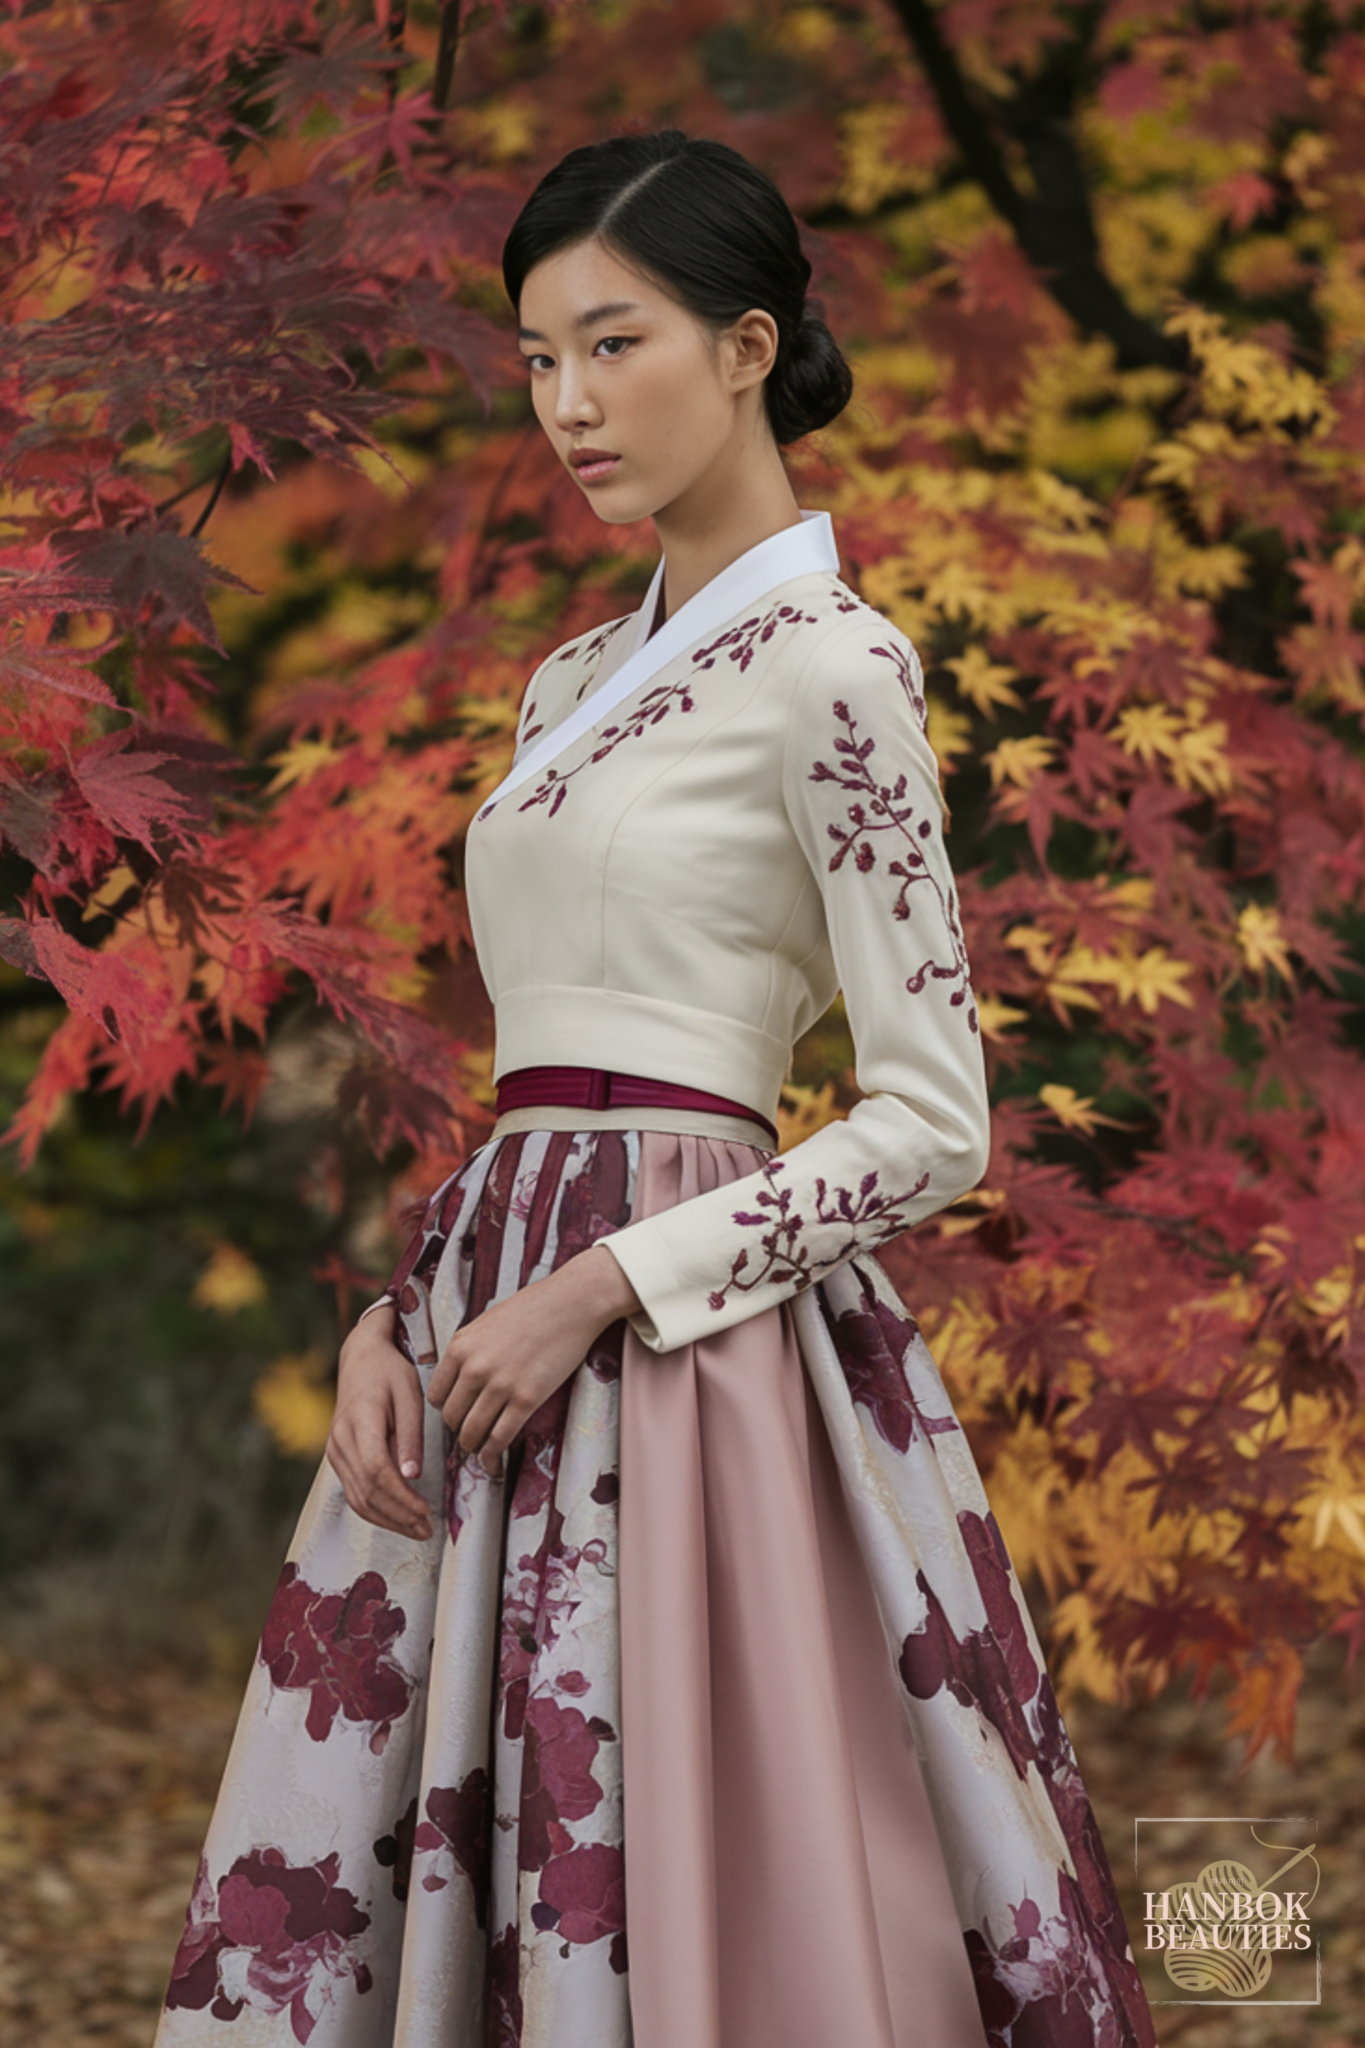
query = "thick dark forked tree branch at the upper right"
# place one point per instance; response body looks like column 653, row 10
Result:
column 1055, row 226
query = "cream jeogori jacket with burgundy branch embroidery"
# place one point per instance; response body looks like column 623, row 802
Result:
column 682, row 890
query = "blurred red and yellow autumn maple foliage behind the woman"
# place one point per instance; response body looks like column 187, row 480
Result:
column 279, row 550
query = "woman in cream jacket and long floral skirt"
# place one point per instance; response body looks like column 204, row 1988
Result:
column 650, row 1586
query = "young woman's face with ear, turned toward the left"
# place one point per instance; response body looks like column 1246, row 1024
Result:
column 640, row 398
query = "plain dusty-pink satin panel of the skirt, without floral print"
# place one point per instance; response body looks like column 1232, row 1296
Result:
column 785, row 1881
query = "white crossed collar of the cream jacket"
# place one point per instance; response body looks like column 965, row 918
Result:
column 785, row 556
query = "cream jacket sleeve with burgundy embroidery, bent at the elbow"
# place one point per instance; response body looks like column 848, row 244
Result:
column 863, row 798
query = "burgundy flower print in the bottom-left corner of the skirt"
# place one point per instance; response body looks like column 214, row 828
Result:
column 273, row 1936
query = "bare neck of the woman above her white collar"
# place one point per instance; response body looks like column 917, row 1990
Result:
column 742, row 501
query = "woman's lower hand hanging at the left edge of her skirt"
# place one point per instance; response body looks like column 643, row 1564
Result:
column 376, row 1441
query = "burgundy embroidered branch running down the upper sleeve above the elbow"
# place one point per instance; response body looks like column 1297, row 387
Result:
column 877, row 810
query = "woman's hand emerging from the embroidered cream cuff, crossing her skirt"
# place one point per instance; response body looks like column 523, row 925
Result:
column 509, row 1361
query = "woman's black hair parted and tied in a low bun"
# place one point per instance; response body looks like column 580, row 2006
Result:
column 715, row 232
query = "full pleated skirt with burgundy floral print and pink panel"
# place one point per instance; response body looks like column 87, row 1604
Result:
column 715, row 1723
